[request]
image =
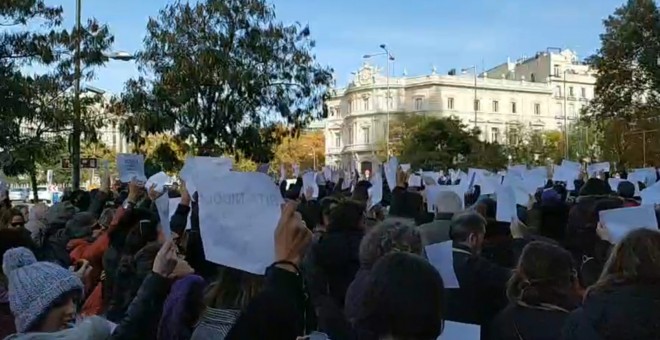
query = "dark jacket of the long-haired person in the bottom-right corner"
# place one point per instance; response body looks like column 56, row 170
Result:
column 625, row 312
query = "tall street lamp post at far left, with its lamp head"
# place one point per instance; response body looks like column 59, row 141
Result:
column 75, row 136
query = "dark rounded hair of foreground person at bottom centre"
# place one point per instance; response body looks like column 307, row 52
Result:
column 404, row 298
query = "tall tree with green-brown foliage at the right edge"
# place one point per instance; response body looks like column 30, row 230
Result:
column 626, row 98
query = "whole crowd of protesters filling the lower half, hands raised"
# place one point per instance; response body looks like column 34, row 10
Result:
column 97, row 266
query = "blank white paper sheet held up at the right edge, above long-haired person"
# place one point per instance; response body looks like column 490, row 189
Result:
column 620, row 222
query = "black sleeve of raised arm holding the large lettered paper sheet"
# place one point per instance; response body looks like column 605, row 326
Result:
column 280, row 311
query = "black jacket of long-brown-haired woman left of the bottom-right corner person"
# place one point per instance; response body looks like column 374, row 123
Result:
column 518, row 322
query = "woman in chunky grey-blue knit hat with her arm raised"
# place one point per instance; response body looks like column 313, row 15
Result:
column 42, row 297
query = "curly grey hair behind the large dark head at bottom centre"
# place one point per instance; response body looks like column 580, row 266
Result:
column 390, row 235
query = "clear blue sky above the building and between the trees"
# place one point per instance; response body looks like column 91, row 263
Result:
column 420, row 33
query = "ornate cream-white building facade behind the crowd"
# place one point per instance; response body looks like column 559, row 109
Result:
column 543, row 92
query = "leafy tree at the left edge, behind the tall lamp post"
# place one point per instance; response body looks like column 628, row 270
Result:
column 37, row 109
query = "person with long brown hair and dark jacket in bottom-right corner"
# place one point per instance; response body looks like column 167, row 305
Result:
column 625, row 302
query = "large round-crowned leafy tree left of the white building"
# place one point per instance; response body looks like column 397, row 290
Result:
column 221, row 73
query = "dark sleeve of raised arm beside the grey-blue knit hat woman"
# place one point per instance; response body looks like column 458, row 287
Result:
column 144, row 309
